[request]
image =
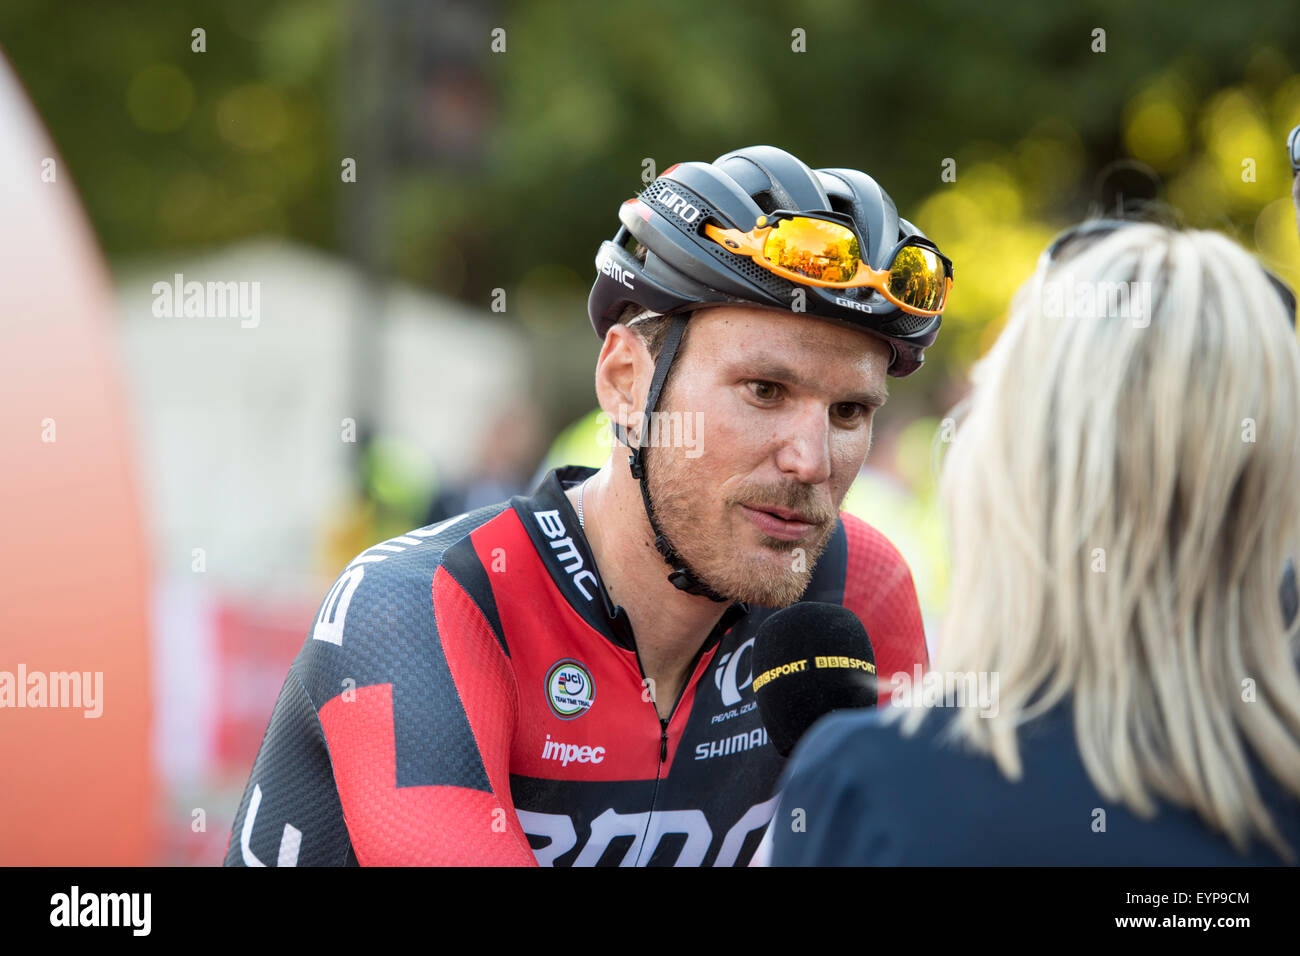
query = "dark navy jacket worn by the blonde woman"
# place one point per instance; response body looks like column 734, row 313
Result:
column 872, row 797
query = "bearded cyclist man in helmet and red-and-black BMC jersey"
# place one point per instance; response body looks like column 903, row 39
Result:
column 525, row 684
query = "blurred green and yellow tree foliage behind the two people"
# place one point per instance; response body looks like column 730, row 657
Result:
column 175, row 149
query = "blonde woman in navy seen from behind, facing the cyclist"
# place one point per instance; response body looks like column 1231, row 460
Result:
column 1116, row 682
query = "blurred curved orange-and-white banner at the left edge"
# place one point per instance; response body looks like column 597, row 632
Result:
column 76, row 782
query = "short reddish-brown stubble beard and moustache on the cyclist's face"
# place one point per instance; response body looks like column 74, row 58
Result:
column 705, row 542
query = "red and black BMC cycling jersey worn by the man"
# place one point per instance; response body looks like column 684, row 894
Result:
column 469, row 694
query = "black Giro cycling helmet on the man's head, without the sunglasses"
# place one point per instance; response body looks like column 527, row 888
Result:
column 684, row 270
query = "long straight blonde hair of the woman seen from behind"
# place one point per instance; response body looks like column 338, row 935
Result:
column 1123, row 495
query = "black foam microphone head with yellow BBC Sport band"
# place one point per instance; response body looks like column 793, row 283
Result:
column 809, row 660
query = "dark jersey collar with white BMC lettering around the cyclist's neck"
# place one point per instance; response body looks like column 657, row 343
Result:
column 553, row 527
